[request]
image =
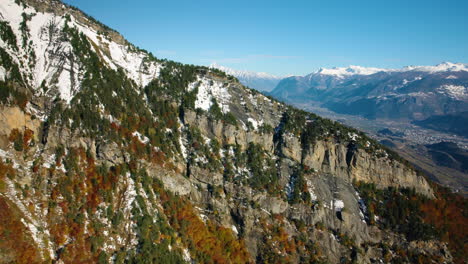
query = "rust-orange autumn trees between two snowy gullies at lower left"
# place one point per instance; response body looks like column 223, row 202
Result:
column 64, row 218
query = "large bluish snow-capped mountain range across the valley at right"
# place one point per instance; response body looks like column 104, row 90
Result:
column 412, row 93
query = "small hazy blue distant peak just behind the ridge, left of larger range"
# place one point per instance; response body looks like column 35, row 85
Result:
column 260, row 81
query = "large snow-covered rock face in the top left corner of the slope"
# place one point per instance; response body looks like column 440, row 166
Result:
column 51, row 52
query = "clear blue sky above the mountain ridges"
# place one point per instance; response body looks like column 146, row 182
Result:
column 291, row 37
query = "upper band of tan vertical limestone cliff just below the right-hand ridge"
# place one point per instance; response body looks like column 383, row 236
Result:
column 331, row 157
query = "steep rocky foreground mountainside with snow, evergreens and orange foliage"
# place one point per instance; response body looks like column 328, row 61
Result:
column 109, row 154
